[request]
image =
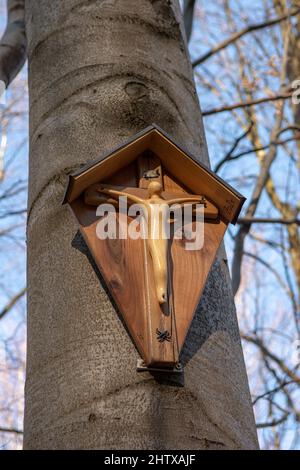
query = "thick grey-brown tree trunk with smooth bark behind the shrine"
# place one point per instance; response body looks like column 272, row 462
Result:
column 99, row 71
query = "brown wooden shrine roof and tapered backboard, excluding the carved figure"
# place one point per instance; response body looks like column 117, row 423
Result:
column 158, row 331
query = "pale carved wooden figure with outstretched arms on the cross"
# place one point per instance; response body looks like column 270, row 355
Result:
column 155, row 209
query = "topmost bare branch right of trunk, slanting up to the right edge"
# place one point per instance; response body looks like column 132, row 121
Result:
column 248, row 29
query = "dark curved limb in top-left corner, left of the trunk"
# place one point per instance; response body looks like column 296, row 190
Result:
column 13, row 43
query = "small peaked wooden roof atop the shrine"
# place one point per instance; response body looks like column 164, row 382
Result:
column 183, row 166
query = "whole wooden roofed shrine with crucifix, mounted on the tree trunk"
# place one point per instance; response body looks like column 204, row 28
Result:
column 156, row 282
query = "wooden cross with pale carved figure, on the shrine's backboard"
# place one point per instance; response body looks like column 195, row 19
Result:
column 155, row 204
